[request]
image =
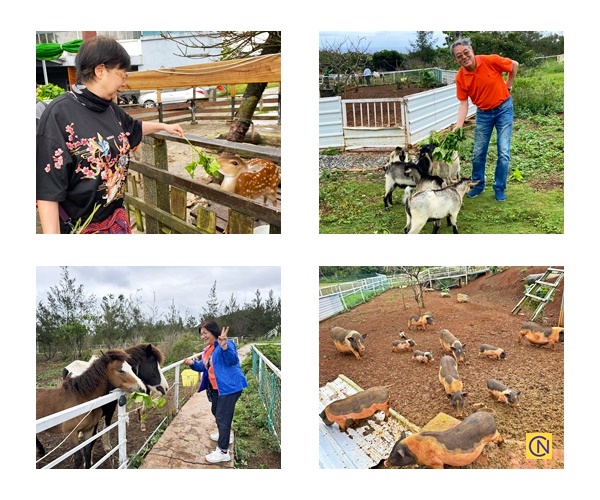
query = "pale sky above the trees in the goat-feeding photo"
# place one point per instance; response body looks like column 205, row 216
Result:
column 376, row 40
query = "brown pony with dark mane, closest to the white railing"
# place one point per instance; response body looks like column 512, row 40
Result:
column 103, row 375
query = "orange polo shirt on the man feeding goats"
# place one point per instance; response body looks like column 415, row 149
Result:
column 485, row 86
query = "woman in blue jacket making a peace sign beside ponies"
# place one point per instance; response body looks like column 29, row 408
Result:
column 223, row 379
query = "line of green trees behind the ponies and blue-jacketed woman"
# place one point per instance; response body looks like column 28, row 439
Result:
column 70, row 320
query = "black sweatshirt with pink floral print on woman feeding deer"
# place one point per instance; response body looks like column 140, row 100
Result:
column 83, row 144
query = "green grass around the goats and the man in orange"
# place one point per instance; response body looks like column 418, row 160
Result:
column 352, row 202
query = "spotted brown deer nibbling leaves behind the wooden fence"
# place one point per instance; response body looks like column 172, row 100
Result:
column 251, row 179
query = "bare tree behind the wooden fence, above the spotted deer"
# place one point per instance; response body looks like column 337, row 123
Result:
column 234, row 45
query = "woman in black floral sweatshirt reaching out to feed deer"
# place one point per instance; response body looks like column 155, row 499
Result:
column 83, row 144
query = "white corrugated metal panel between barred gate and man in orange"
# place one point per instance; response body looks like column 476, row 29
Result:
column 433, row 110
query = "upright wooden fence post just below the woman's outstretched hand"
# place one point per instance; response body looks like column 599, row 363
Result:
column 154, row 152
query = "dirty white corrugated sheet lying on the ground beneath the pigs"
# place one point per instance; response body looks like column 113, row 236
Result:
column 358, row 448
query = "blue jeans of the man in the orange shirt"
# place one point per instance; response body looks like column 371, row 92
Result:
column 500, row 117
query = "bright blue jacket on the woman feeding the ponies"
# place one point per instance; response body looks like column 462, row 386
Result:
column 228, row 371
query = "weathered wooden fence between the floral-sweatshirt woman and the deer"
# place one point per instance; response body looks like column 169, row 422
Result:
column 162, row 205
